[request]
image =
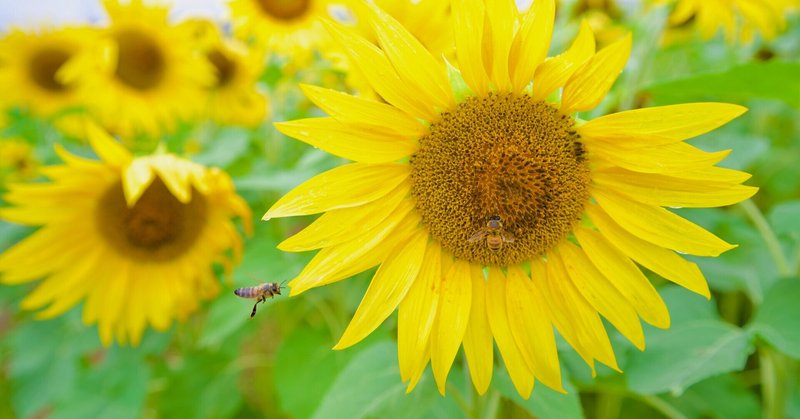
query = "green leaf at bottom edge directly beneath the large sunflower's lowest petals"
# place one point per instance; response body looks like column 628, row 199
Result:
column 544, row 403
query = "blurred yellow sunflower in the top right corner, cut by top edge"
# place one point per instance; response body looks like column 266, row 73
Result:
column 739, row 19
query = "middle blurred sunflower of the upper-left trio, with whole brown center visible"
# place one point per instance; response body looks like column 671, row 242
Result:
column 143, row 75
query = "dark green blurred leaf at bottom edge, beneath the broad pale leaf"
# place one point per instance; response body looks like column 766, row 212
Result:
column 720, row 397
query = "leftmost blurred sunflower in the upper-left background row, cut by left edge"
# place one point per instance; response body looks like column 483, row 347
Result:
column 29, row 69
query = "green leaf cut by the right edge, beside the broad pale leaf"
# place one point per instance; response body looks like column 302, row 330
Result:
column 776, row 320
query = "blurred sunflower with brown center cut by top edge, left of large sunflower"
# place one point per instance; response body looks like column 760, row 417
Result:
column 286, row 27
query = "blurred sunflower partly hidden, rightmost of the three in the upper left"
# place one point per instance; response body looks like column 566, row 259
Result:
column 233, row 97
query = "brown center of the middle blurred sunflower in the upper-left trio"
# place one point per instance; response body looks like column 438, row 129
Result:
column 140, row 62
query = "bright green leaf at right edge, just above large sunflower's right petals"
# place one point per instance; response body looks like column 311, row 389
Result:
column 770, row 80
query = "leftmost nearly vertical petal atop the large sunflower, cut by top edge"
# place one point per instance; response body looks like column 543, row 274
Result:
column 468, row 19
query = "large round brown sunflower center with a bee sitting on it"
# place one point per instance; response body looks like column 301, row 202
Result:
column 500, row 179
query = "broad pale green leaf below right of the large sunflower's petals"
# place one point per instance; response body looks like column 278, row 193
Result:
column 685, row 354
